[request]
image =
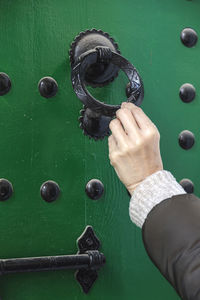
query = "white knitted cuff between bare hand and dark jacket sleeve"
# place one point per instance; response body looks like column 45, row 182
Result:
column 151, row 191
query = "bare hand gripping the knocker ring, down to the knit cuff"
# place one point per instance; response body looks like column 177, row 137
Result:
column 134, row 146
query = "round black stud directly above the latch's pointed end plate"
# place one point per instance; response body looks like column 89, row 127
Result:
column 94, row 189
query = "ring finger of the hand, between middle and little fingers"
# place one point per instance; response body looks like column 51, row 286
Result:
column 117, row 131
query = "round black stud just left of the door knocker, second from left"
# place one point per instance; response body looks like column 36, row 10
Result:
column 48, row 87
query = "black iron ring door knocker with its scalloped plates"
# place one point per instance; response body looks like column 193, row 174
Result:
column 95, row 61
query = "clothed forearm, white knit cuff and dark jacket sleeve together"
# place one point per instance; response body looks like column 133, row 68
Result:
column 169, row 218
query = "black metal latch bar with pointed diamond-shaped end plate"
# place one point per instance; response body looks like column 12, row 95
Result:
column 87, row 261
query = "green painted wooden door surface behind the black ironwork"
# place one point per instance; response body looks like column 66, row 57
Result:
column 40, row 139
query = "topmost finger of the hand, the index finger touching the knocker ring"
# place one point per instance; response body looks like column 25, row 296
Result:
column 140, row 117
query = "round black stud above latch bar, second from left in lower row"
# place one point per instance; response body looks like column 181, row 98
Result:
column 50, row 191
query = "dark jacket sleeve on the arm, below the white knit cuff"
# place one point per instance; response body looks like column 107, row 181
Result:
column 171, row 236
